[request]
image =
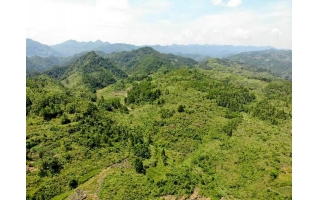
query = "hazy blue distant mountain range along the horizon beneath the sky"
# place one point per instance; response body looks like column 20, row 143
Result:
column 71, row 47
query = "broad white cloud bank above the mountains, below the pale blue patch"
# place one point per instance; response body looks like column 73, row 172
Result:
column 51, row 22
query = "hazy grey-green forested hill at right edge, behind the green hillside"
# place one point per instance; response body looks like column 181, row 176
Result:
column 278, row 62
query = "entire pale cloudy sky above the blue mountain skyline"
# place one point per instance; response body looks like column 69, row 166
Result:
column 164, row 22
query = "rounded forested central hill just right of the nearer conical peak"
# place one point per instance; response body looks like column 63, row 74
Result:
column 146, row 61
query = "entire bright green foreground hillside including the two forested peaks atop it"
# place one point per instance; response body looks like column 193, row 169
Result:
column 211, row 130
